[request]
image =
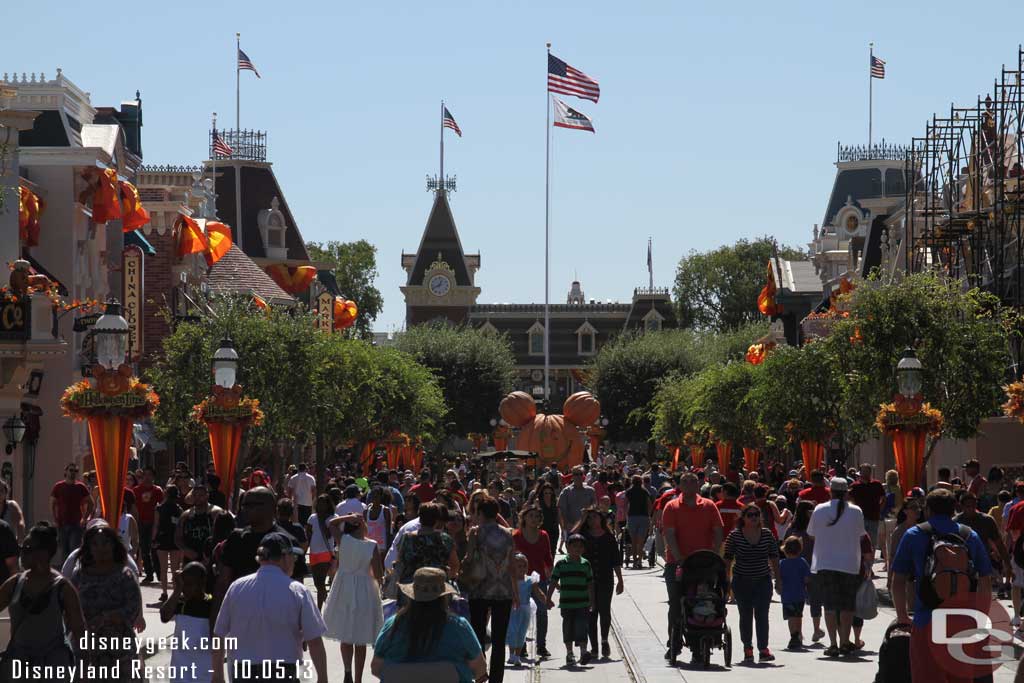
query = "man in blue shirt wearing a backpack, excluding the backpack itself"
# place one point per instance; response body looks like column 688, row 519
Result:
column 910, row 562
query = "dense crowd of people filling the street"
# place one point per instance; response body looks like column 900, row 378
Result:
column 444, row 573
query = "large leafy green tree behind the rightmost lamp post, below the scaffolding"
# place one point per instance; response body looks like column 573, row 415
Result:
column 962, row 338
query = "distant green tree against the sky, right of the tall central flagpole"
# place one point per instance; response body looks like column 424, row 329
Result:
column 718, row 290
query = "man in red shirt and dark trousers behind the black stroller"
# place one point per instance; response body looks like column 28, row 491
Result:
column 690, row 524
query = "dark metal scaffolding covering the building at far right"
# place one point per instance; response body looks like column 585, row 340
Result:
column 966, row 192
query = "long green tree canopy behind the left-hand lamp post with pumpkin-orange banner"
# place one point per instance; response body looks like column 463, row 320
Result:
column 309, row 382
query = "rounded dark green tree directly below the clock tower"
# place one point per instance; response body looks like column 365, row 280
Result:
column 476, row 370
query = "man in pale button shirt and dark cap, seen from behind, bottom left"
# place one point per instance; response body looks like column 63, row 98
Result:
column 271, row 617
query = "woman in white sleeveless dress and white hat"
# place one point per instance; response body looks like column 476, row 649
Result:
column 354, row 614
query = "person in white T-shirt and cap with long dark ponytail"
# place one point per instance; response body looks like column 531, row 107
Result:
column 837, row 528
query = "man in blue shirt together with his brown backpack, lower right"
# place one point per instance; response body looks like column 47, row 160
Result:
column 945, row 559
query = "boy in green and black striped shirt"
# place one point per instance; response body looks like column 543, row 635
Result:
column 575, row 580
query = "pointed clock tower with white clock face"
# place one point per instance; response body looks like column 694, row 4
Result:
column 441, row 276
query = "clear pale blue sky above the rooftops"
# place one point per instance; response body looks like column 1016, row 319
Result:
column 717, row 121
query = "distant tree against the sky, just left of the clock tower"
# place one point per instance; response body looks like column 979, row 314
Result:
column 355, row 267
